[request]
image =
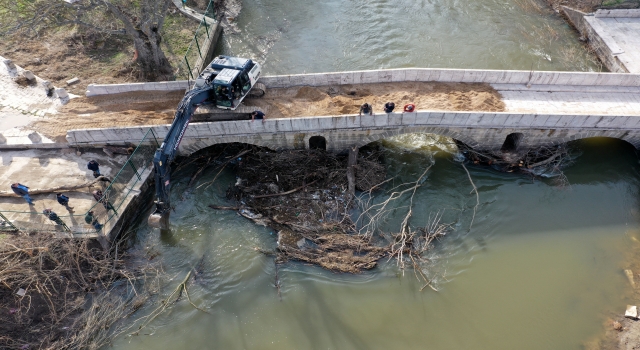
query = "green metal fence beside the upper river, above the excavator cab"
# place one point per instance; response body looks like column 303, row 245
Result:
column 196, row 53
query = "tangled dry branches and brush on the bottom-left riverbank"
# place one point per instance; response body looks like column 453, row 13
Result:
column 65, row 293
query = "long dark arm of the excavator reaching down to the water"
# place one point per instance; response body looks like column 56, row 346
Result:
column 168, row 150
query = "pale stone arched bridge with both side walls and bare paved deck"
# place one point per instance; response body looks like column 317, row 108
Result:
column 542, row 108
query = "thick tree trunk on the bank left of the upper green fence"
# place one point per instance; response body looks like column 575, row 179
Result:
column 151, row 59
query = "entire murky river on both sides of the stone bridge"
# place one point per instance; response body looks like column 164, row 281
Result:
column 541, row 267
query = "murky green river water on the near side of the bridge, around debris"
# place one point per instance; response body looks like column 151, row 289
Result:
column 539, row 268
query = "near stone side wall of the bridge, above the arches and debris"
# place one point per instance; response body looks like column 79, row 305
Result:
column 477, row 129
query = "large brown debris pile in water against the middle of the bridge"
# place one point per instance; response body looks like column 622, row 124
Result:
column 304, row 195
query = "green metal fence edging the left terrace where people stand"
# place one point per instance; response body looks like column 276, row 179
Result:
column 115, row 193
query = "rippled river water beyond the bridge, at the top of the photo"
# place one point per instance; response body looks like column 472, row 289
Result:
column 293, row 36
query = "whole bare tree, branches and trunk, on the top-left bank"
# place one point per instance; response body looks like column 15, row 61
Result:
column 140, row 20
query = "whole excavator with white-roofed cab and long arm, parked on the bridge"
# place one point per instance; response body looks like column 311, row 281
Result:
column 224, row 83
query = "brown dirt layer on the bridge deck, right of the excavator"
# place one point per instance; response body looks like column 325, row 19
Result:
column 346, row 99
